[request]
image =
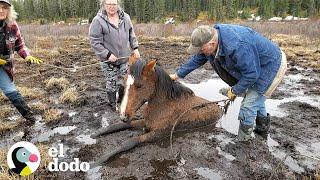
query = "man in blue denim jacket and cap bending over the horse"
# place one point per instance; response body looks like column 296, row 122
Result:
column 249, row 63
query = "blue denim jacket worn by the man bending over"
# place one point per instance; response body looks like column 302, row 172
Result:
column 247, row 56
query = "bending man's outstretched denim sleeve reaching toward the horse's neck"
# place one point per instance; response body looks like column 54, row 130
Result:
column 194, row 62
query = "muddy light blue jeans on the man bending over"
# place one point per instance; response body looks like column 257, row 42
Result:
column 253, row 105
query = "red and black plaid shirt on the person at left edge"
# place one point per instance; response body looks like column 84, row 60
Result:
column 14, row 40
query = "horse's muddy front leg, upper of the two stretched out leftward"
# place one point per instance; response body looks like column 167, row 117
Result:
column 118, row 127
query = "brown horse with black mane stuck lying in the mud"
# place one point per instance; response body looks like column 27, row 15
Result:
column 168, row 104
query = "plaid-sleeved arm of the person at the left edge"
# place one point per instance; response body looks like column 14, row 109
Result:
column 19, row 45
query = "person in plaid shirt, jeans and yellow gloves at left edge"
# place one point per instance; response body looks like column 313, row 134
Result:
column 11, row 41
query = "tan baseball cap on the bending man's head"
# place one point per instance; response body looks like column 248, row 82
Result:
column 200, row 36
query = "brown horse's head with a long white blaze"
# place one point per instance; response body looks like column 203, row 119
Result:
column 139, row 88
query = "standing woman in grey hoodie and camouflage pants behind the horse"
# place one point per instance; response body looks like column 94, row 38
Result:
column 112, row 38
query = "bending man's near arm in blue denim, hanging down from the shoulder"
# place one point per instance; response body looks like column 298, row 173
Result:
column 247, row 60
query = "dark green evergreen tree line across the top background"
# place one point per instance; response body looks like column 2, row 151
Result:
column 158, row 10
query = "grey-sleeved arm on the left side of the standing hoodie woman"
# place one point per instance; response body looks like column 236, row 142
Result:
column 96, row 40
